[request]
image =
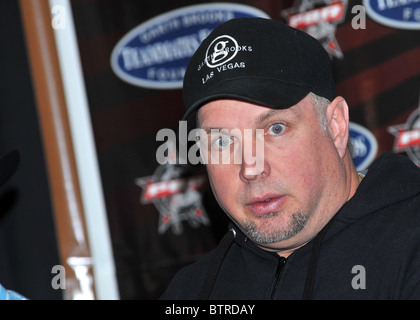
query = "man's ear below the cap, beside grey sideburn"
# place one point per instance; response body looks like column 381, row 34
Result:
column 338, row 123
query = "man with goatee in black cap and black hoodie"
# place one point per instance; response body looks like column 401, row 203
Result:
column 305, row 223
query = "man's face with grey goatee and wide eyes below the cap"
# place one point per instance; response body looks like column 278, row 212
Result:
column 285, row 202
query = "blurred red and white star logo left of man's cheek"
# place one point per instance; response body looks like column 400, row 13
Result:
column 175, row 191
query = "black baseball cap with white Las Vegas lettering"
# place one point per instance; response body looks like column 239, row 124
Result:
column 257, row 60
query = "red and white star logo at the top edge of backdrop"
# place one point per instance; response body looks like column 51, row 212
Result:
column 319, row 18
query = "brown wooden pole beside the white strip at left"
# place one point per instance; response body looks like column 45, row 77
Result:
column 64, row 184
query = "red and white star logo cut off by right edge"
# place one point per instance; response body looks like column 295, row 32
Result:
column 407, row 136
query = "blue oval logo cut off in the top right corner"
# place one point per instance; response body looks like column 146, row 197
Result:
column 397, row 14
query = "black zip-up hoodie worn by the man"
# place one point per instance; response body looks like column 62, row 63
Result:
column 369, row 250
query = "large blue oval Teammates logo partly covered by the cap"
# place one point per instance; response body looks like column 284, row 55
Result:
column 156, row 53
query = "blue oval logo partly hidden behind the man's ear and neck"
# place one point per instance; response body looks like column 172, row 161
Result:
column 365, row 146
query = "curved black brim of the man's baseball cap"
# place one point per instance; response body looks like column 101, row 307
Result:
column 264, row 91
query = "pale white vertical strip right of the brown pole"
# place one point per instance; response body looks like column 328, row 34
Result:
column 85, row 153
